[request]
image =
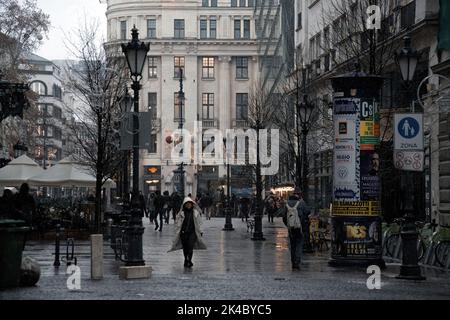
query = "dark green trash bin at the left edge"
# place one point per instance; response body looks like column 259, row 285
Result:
column 12, row 240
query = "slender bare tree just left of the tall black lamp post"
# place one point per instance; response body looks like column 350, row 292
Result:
column 95, row 81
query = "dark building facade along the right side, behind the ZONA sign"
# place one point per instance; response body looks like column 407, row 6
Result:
column 326, row 47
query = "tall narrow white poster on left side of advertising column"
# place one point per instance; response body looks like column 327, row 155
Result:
column 346, row 184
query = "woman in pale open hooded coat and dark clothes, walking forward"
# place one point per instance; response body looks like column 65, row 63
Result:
column 188, row 234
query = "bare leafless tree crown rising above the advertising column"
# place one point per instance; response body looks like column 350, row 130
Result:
column 352, row 40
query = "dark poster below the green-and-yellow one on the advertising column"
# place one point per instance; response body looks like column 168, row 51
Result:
column 370, row 179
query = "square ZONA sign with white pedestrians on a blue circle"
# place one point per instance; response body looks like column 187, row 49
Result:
column 408, row 132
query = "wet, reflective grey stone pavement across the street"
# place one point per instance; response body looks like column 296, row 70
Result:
column 234, row 267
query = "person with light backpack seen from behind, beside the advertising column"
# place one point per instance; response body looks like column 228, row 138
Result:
column 292, row 215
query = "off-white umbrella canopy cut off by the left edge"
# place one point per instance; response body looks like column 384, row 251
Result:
column 19, row 171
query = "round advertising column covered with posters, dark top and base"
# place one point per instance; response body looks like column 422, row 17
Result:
column 356, row 222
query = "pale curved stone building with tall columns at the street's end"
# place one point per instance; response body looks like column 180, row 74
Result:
column 214, row 42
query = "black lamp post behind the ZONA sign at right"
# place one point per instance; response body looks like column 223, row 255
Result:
column 407, row 59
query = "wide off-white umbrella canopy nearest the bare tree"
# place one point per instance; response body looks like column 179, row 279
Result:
column 66, row 173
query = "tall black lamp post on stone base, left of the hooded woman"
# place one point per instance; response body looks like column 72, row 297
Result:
column 135, row 53
